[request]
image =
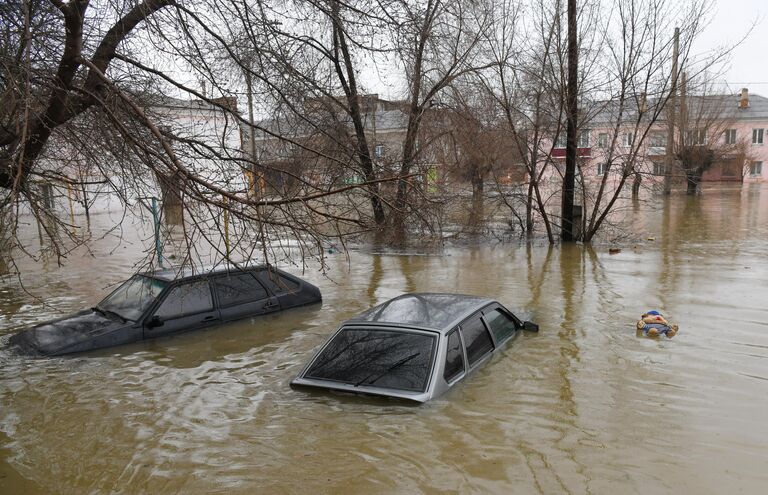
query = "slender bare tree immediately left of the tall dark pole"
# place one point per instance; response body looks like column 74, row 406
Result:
column 526, row 78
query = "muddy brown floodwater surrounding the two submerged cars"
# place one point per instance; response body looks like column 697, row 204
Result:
column 585, row 406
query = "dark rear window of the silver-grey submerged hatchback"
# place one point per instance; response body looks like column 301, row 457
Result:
column 381, row 358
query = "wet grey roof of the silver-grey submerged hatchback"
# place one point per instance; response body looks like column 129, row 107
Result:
column 436, row 311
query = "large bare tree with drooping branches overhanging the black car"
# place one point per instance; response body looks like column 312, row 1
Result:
column 86, row 92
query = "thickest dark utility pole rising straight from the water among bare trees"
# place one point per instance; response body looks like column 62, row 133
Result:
column 569, row 181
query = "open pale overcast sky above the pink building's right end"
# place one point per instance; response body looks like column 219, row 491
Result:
column 730, row 21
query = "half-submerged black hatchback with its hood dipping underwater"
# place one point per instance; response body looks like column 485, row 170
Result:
column 154, row 304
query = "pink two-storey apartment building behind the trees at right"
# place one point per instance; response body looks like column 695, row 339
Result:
column 733, row 127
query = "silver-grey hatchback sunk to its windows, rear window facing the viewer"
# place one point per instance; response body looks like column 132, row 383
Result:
column 415, row 346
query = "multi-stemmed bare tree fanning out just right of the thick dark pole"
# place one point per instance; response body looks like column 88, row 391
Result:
column 637, row 56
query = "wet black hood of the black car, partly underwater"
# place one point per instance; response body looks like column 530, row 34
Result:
column 66, row 334
